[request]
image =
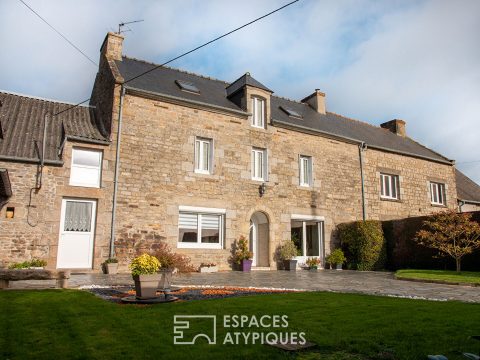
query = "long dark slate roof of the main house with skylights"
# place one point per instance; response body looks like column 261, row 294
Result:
column 214, row 92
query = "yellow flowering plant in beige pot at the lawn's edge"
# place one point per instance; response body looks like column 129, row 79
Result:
column 145, row 275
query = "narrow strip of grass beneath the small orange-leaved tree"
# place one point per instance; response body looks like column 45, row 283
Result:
column 440, row 275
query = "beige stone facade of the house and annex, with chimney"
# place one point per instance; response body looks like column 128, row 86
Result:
column 157, row 176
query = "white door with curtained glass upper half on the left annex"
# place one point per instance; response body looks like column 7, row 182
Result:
column 77, row 229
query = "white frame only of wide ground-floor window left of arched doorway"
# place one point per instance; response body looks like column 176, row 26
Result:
column 205, row 211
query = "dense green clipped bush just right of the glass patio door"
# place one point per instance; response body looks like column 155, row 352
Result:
column 364, row 244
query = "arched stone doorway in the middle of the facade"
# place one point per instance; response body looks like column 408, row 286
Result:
column 259, row 239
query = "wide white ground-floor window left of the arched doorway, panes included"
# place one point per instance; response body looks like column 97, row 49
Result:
column 201, row 228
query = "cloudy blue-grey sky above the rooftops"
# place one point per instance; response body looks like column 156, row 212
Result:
column 376, row 60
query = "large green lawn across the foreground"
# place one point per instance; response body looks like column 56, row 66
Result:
column 70, row 324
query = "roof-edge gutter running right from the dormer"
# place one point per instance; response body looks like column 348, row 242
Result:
column 357, row 142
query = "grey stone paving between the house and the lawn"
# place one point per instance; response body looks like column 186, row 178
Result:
column 375, row 283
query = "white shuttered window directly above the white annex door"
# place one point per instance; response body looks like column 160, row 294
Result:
column 86, row 168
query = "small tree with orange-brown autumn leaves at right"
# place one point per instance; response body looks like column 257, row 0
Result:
column 451, row 233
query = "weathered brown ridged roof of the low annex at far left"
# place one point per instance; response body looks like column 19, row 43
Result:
column 22, row 121
